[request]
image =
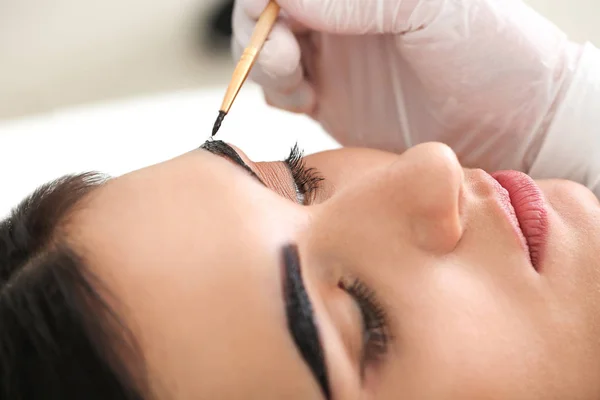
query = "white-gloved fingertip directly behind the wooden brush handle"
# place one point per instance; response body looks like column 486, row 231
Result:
column 278, row 63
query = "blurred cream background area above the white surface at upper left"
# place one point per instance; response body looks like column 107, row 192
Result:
column 63, row 52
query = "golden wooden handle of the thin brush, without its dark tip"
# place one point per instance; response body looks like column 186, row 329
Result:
column 259, row 36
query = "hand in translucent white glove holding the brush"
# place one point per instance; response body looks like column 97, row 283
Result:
column 483, row 76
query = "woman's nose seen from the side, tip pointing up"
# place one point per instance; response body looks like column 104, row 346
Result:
column 416, row 196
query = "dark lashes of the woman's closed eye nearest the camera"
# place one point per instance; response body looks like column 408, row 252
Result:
column 375, row 325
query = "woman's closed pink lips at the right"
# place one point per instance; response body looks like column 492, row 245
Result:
column 529, row 208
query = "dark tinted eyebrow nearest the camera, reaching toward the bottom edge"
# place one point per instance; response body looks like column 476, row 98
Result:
column 300, row 318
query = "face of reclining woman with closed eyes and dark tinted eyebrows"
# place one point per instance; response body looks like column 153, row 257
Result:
column 401, row 276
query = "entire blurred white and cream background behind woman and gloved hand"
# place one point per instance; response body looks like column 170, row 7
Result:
column 114, row 85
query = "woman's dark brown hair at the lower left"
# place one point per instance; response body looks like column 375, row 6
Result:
column 58, row 337
